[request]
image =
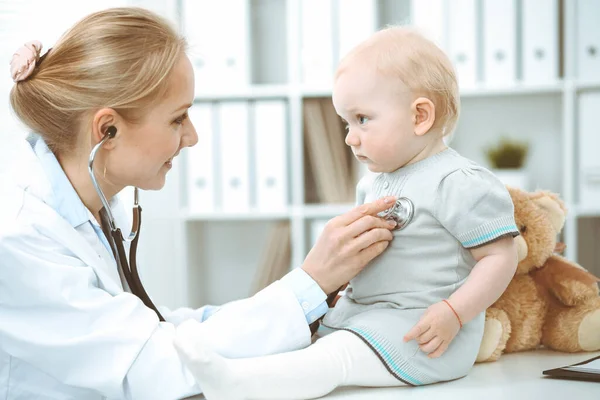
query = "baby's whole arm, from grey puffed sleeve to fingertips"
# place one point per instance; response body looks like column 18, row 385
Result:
column 476, row 208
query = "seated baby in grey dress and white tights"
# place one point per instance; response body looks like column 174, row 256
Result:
column 415, row 315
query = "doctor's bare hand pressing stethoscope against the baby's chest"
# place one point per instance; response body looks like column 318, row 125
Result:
column 348, row 243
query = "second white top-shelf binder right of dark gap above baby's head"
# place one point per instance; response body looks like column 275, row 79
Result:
column 462, row 40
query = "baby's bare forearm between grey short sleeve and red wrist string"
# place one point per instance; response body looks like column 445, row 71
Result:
column 496, row 265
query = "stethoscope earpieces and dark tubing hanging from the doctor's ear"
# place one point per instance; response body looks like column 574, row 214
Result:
column 115, row 236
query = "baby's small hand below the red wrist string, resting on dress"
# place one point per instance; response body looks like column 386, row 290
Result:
column 436, row 329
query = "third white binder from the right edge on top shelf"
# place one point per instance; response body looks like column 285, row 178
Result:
column 499, row 41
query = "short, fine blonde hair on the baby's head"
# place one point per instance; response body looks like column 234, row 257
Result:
column 405, row 54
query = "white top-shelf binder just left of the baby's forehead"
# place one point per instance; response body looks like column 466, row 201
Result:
column 317, row 42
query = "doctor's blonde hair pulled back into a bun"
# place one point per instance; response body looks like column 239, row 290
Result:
column 118, row 58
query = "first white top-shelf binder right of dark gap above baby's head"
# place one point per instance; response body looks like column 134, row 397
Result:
column 430, row 18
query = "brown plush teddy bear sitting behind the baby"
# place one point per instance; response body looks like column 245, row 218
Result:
column 550, row 301
